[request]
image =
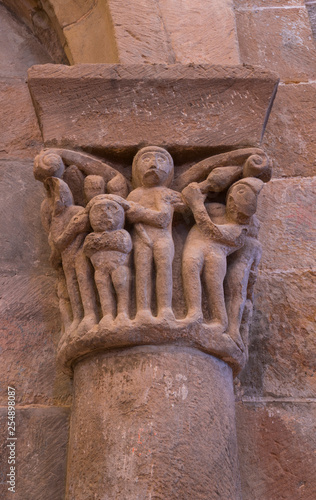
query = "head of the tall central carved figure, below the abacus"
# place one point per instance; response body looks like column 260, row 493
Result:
column 152, row 166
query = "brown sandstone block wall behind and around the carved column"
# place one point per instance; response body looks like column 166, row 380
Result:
column 276, row 392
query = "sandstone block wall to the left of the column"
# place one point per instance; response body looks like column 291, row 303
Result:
column 28, row 307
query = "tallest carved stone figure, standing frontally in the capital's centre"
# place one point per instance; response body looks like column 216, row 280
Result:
column 152, row 205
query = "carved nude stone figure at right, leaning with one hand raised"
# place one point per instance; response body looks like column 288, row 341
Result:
column 219, row 231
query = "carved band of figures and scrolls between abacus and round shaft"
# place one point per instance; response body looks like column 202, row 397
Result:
column 111, row 242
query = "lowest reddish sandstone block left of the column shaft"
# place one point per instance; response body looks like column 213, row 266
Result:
column 42, row 435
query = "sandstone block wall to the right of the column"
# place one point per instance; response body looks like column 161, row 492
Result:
column 276, row 411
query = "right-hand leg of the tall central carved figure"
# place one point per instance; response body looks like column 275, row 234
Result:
column 163, row 257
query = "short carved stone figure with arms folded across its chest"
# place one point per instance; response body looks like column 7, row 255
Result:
column 109, row 248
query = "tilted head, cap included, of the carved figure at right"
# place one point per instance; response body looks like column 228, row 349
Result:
column 241, row 200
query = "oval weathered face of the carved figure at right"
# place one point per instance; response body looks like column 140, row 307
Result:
column 241, row 203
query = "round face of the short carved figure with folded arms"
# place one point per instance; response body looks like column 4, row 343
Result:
column 106, row 215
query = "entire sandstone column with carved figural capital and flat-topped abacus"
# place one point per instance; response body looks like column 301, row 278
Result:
column 153, row 360
